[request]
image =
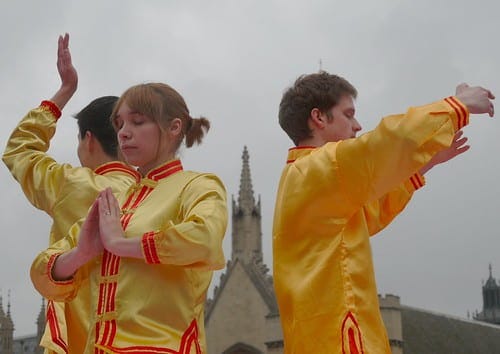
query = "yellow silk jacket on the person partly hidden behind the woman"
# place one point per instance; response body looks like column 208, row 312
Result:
column 65, row 193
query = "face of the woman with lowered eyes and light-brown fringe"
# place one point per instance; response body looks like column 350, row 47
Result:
column 141, row 140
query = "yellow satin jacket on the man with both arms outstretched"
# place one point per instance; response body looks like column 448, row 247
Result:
column 330, row 200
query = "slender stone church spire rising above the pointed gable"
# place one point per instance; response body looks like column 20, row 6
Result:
column 247, row 235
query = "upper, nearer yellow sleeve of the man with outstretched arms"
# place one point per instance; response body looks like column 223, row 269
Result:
column 398, row 147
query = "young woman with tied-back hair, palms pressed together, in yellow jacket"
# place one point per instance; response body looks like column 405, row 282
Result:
column 148, row 255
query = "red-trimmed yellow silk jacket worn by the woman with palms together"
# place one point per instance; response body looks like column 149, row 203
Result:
column 153, row 305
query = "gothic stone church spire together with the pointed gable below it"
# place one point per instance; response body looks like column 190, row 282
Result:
column 242, row 317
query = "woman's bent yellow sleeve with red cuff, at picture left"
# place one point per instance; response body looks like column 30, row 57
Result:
column 41, row 270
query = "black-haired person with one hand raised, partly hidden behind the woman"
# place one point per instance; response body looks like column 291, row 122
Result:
column 63, row 191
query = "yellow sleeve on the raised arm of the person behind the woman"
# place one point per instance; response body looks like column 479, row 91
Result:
column 39, row 175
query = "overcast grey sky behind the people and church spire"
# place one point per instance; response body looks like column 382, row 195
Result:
column 231, row 60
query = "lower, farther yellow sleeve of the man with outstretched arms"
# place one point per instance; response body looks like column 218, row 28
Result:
column 380, row 212
